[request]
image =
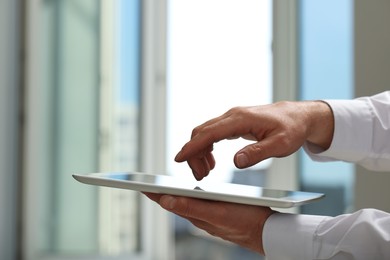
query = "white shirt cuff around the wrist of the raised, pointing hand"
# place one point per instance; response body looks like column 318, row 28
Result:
column 349, row 115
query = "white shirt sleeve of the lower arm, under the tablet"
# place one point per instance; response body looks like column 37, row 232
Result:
column 360, row 236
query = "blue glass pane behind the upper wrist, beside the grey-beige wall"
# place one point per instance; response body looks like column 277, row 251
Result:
column 326, row 49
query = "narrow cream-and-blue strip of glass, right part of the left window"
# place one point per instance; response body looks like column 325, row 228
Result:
column 118, row 209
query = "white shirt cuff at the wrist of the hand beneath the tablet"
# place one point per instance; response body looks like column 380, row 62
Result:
column 290, row 236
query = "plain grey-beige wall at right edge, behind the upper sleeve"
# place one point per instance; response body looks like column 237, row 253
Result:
column 372, row 75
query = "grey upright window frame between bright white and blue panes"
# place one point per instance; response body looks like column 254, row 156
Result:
column 284, row 171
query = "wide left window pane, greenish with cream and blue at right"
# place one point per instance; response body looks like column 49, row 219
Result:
column 89, row 102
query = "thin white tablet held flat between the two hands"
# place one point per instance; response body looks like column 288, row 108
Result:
column 228, row 192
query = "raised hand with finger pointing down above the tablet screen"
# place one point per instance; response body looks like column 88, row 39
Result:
column 278, row 130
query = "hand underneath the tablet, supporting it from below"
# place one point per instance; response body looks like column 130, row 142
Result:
column 237, row 223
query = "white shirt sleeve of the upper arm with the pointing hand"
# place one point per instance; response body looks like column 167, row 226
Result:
column 361, row 134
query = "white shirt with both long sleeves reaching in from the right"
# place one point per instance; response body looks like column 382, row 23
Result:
column 361, row 135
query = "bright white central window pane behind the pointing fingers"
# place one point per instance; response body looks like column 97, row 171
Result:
column 219, row 56
